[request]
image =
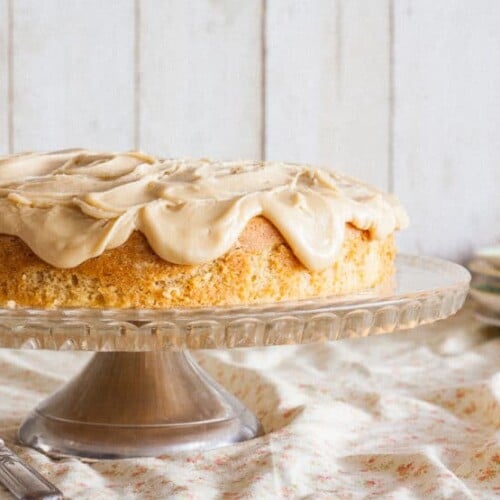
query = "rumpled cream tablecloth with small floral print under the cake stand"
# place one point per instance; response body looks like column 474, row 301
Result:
column 408, row 415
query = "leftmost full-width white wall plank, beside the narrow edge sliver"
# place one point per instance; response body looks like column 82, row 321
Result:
column 73, row 74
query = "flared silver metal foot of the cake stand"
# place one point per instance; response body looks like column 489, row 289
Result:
column 129, row 404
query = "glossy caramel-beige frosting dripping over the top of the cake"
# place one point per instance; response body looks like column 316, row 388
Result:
column 69, row 206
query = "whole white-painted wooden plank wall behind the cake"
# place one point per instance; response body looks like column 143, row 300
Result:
column 402, row 93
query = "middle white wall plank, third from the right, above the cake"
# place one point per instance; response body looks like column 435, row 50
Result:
column 200, row 78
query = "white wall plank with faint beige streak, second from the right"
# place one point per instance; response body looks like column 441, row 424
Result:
column 328, row 84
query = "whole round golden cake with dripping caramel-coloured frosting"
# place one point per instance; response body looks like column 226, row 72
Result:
column 127, row 230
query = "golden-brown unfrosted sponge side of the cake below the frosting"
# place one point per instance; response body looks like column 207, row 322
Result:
column 260, row 267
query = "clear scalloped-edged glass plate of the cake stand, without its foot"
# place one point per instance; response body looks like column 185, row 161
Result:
column 426, row 289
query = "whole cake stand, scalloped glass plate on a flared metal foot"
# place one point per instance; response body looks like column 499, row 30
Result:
column 142, row 394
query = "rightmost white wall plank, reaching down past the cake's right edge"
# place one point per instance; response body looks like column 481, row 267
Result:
column 447, row 124
